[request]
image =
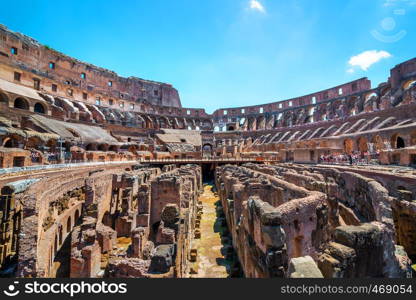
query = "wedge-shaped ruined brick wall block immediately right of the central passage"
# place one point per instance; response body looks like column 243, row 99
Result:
column 270, row 220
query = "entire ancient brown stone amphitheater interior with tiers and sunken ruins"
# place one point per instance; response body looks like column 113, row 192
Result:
column 110, row 177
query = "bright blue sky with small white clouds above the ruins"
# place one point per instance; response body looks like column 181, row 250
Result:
column 225, row 53
